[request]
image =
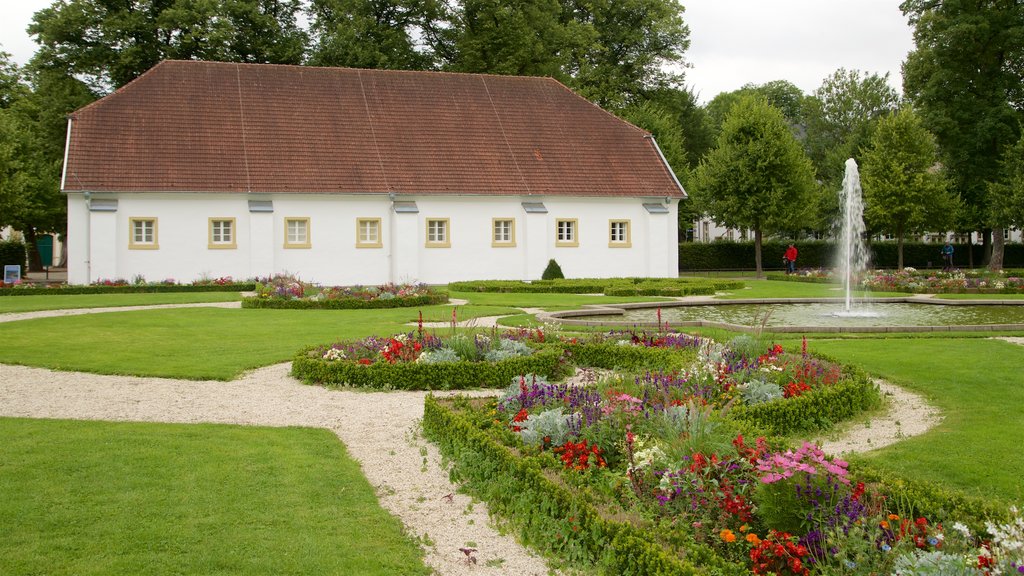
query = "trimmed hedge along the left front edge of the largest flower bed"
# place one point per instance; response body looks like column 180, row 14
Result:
column 518, row 489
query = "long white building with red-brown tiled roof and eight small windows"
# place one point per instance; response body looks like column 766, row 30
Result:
column 345, row 177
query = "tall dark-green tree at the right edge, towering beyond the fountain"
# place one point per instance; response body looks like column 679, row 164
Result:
column 966, row 78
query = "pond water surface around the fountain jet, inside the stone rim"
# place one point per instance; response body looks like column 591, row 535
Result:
column 826, row 315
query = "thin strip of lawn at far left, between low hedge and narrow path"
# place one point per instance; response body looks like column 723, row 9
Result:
column 67, row 302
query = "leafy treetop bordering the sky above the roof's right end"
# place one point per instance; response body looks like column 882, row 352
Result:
column 621, row 48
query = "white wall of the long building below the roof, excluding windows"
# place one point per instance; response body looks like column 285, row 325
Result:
column 101, row 246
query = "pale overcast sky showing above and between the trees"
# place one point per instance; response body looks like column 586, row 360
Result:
column 733, row 42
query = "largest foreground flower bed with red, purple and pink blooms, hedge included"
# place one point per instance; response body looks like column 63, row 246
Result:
column 671, row 472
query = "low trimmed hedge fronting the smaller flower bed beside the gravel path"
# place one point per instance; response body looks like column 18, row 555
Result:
column 452, row 376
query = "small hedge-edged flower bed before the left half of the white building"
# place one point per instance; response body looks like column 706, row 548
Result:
column 284, row 292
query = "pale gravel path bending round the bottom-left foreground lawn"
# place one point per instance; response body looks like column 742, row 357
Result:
column 378, row 430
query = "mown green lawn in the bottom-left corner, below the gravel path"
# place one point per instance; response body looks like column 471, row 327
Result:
column 91, row 499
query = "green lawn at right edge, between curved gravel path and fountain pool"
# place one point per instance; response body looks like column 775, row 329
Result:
column 979, row 387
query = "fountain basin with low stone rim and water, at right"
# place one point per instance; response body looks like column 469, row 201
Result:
column 913, row 314
